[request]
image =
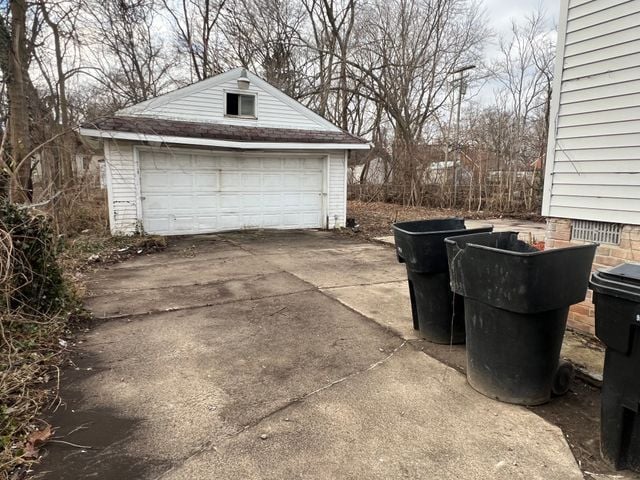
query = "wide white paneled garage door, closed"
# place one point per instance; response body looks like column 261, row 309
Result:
column 198, row 193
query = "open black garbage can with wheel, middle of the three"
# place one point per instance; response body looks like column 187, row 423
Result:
column 516, row 301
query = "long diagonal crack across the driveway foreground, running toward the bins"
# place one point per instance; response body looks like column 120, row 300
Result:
column 209, row 446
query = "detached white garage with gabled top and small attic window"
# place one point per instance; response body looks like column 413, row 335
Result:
column 230, row 152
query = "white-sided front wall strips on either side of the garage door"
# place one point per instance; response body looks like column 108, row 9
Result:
column 123, row 188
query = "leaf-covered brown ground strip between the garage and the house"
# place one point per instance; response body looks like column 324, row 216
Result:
column 375, row 218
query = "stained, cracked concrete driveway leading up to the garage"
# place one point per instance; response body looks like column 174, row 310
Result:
column 277, row 356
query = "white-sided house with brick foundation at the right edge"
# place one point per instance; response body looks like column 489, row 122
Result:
column 592, row 176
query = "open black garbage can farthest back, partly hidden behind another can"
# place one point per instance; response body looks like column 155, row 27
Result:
column 437, row 314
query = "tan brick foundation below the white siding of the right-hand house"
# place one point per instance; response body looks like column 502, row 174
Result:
column 558, row 235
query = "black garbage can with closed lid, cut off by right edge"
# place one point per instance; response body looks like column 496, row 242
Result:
column 616, row 295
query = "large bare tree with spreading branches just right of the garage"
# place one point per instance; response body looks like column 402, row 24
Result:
column 410, row 48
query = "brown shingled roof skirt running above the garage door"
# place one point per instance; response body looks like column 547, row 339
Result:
column 168, row 130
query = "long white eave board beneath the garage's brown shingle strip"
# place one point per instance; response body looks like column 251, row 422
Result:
column 210, row 142
